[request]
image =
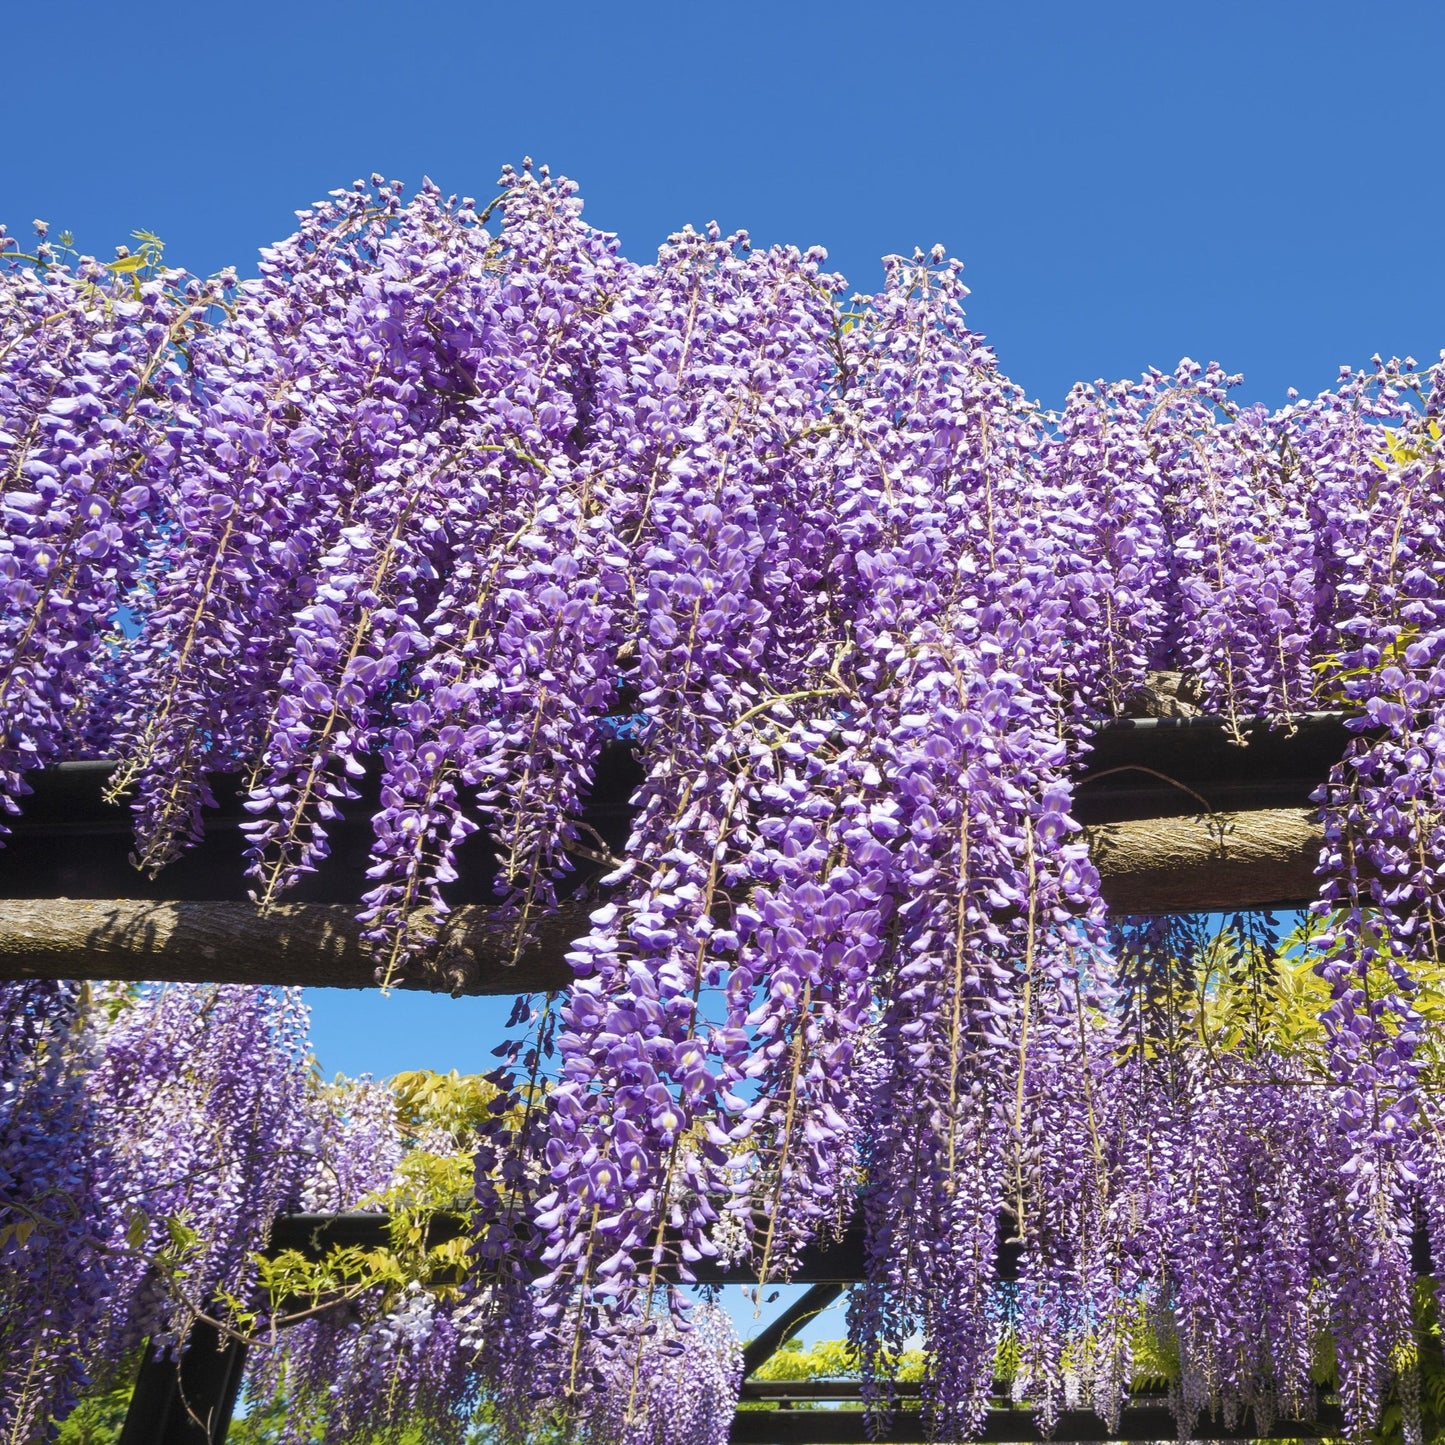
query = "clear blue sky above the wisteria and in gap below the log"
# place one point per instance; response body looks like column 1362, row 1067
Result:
column 1128, row 183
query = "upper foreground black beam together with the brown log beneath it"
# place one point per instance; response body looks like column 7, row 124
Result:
column 1178, row 820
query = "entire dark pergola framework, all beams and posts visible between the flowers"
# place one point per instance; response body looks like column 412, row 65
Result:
column 1178, row 817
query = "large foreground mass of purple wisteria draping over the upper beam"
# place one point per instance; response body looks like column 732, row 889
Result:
column 439, row 498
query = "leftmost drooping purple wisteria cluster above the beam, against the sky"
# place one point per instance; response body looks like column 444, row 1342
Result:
column 92, row 382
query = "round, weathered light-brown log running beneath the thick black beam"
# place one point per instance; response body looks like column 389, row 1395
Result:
column 1204, row 863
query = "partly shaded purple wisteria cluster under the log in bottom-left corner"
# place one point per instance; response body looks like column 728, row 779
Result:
column 147, row 1144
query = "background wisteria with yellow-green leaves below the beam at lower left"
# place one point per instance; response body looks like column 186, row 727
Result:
column 150, row 1139
